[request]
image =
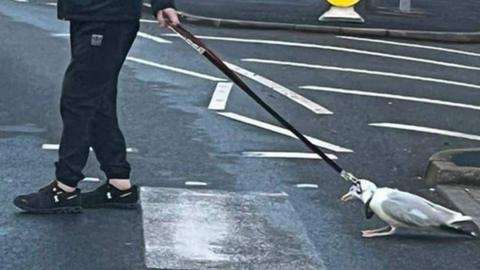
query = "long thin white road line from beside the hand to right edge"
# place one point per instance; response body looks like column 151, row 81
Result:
column 338, row 49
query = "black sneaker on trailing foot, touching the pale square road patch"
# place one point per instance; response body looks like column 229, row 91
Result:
column 108, row 196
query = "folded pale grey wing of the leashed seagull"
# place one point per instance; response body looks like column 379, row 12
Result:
column 416, row 211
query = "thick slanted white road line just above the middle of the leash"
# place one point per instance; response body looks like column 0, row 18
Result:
column 312, row 106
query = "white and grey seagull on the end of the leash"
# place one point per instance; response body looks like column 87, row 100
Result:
column 401, row 209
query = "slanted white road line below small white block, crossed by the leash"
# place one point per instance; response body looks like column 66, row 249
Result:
column 283, row 131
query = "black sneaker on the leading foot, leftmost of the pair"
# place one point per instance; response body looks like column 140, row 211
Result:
column 50, row 200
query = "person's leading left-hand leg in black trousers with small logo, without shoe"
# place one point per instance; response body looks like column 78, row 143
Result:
column 84, row 86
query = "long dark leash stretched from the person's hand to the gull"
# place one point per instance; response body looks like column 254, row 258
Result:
column 201, row 48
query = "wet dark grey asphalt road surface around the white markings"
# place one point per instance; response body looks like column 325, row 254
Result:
column 164, row 115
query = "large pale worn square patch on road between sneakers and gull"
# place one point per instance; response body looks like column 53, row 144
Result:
column 199, row 229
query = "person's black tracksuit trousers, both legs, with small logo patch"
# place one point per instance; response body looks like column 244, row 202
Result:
column 88, row 103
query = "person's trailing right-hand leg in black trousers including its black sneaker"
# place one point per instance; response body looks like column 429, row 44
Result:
column 107, row 139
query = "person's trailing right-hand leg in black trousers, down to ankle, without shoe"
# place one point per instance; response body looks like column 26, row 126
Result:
column 107, row 139
